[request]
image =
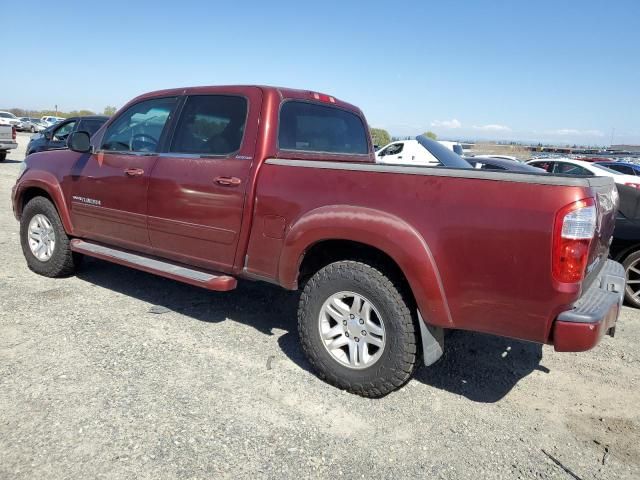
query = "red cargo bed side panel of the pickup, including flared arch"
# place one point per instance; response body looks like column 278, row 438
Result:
column 490, row 241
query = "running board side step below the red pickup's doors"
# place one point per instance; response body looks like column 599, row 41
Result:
column 209, row 280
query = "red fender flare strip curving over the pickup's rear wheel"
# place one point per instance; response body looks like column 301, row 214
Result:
column 380, row 230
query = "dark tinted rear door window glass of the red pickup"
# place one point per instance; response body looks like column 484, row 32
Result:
column 210, row 125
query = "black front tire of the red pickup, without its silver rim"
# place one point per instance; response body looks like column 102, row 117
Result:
column 62, row 261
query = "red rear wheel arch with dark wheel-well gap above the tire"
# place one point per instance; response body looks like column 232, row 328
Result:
column 369, row 234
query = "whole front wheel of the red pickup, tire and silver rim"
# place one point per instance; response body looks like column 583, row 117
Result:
column 45, row 244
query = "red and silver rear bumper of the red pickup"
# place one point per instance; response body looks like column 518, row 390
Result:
column 594, row 314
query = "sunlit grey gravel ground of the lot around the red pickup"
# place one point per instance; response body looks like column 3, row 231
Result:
column 114, row 373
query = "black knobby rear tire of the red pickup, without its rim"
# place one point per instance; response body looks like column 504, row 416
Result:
column 399, row 358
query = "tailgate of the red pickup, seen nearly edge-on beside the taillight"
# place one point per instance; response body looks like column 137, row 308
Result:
column 606, row 197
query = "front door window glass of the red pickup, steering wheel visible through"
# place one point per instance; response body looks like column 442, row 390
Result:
column 139, row 128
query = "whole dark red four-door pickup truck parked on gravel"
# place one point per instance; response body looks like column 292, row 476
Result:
column 208, row 185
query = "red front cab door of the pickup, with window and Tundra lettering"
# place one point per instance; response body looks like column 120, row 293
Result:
column 109, row 187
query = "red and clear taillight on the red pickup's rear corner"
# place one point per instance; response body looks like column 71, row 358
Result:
column 573, row 232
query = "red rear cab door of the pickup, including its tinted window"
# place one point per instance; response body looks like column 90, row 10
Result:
column 198, row 186
